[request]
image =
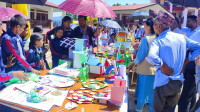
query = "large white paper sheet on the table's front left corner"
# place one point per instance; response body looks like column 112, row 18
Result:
column 18, row 97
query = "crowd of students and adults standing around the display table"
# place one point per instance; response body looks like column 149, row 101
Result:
column 164, row 59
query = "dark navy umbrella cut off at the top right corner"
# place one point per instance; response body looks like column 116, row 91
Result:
column 187, row 3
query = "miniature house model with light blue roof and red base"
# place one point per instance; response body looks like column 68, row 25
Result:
column 95, row 67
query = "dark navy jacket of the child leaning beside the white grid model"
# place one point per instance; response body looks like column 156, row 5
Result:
column 56, row 49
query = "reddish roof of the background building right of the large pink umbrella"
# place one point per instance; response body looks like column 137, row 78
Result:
column 131, row 7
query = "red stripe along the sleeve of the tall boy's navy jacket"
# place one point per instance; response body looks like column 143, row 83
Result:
column 16, row 55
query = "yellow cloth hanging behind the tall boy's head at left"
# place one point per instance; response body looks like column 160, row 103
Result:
column 23, row 8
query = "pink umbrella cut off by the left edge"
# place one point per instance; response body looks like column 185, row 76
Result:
column 8, row 13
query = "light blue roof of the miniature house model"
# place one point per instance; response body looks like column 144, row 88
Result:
column 96, row 60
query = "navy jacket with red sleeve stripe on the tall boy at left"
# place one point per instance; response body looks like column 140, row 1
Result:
column 9, row 46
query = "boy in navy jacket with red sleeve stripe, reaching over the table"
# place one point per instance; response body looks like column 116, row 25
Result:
column 12, row 44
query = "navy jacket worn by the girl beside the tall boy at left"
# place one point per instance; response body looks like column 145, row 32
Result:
column 33, row 57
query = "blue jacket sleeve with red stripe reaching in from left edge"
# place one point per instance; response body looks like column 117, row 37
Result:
column 3, row 76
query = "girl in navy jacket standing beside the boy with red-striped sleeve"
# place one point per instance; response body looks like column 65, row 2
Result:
column 34, row 56
